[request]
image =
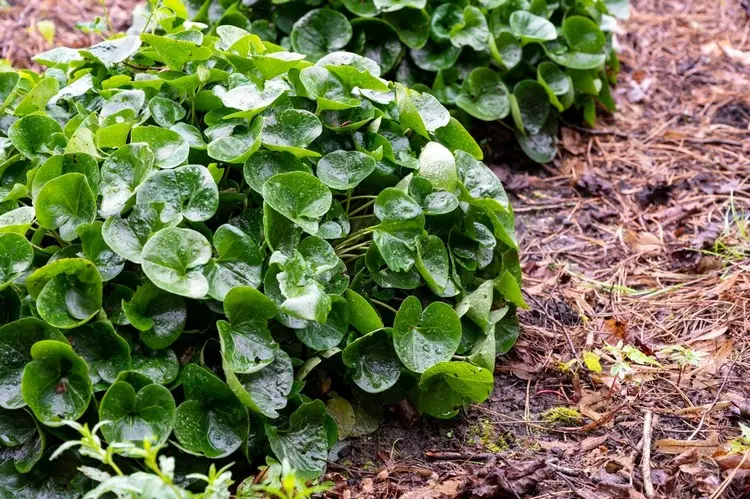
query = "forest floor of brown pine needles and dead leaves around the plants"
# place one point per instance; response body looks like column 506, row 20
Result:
column 638, row 232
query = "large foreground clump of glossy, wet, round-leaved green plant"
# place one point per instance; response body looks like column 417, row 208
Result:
column 200, row 234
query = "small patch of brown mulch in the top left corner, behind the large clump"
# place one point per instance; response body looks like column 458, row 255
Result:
column 20, row 39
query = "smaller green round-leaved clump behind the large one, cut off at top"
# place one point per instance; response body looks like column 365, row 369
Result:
column 520, row 61
